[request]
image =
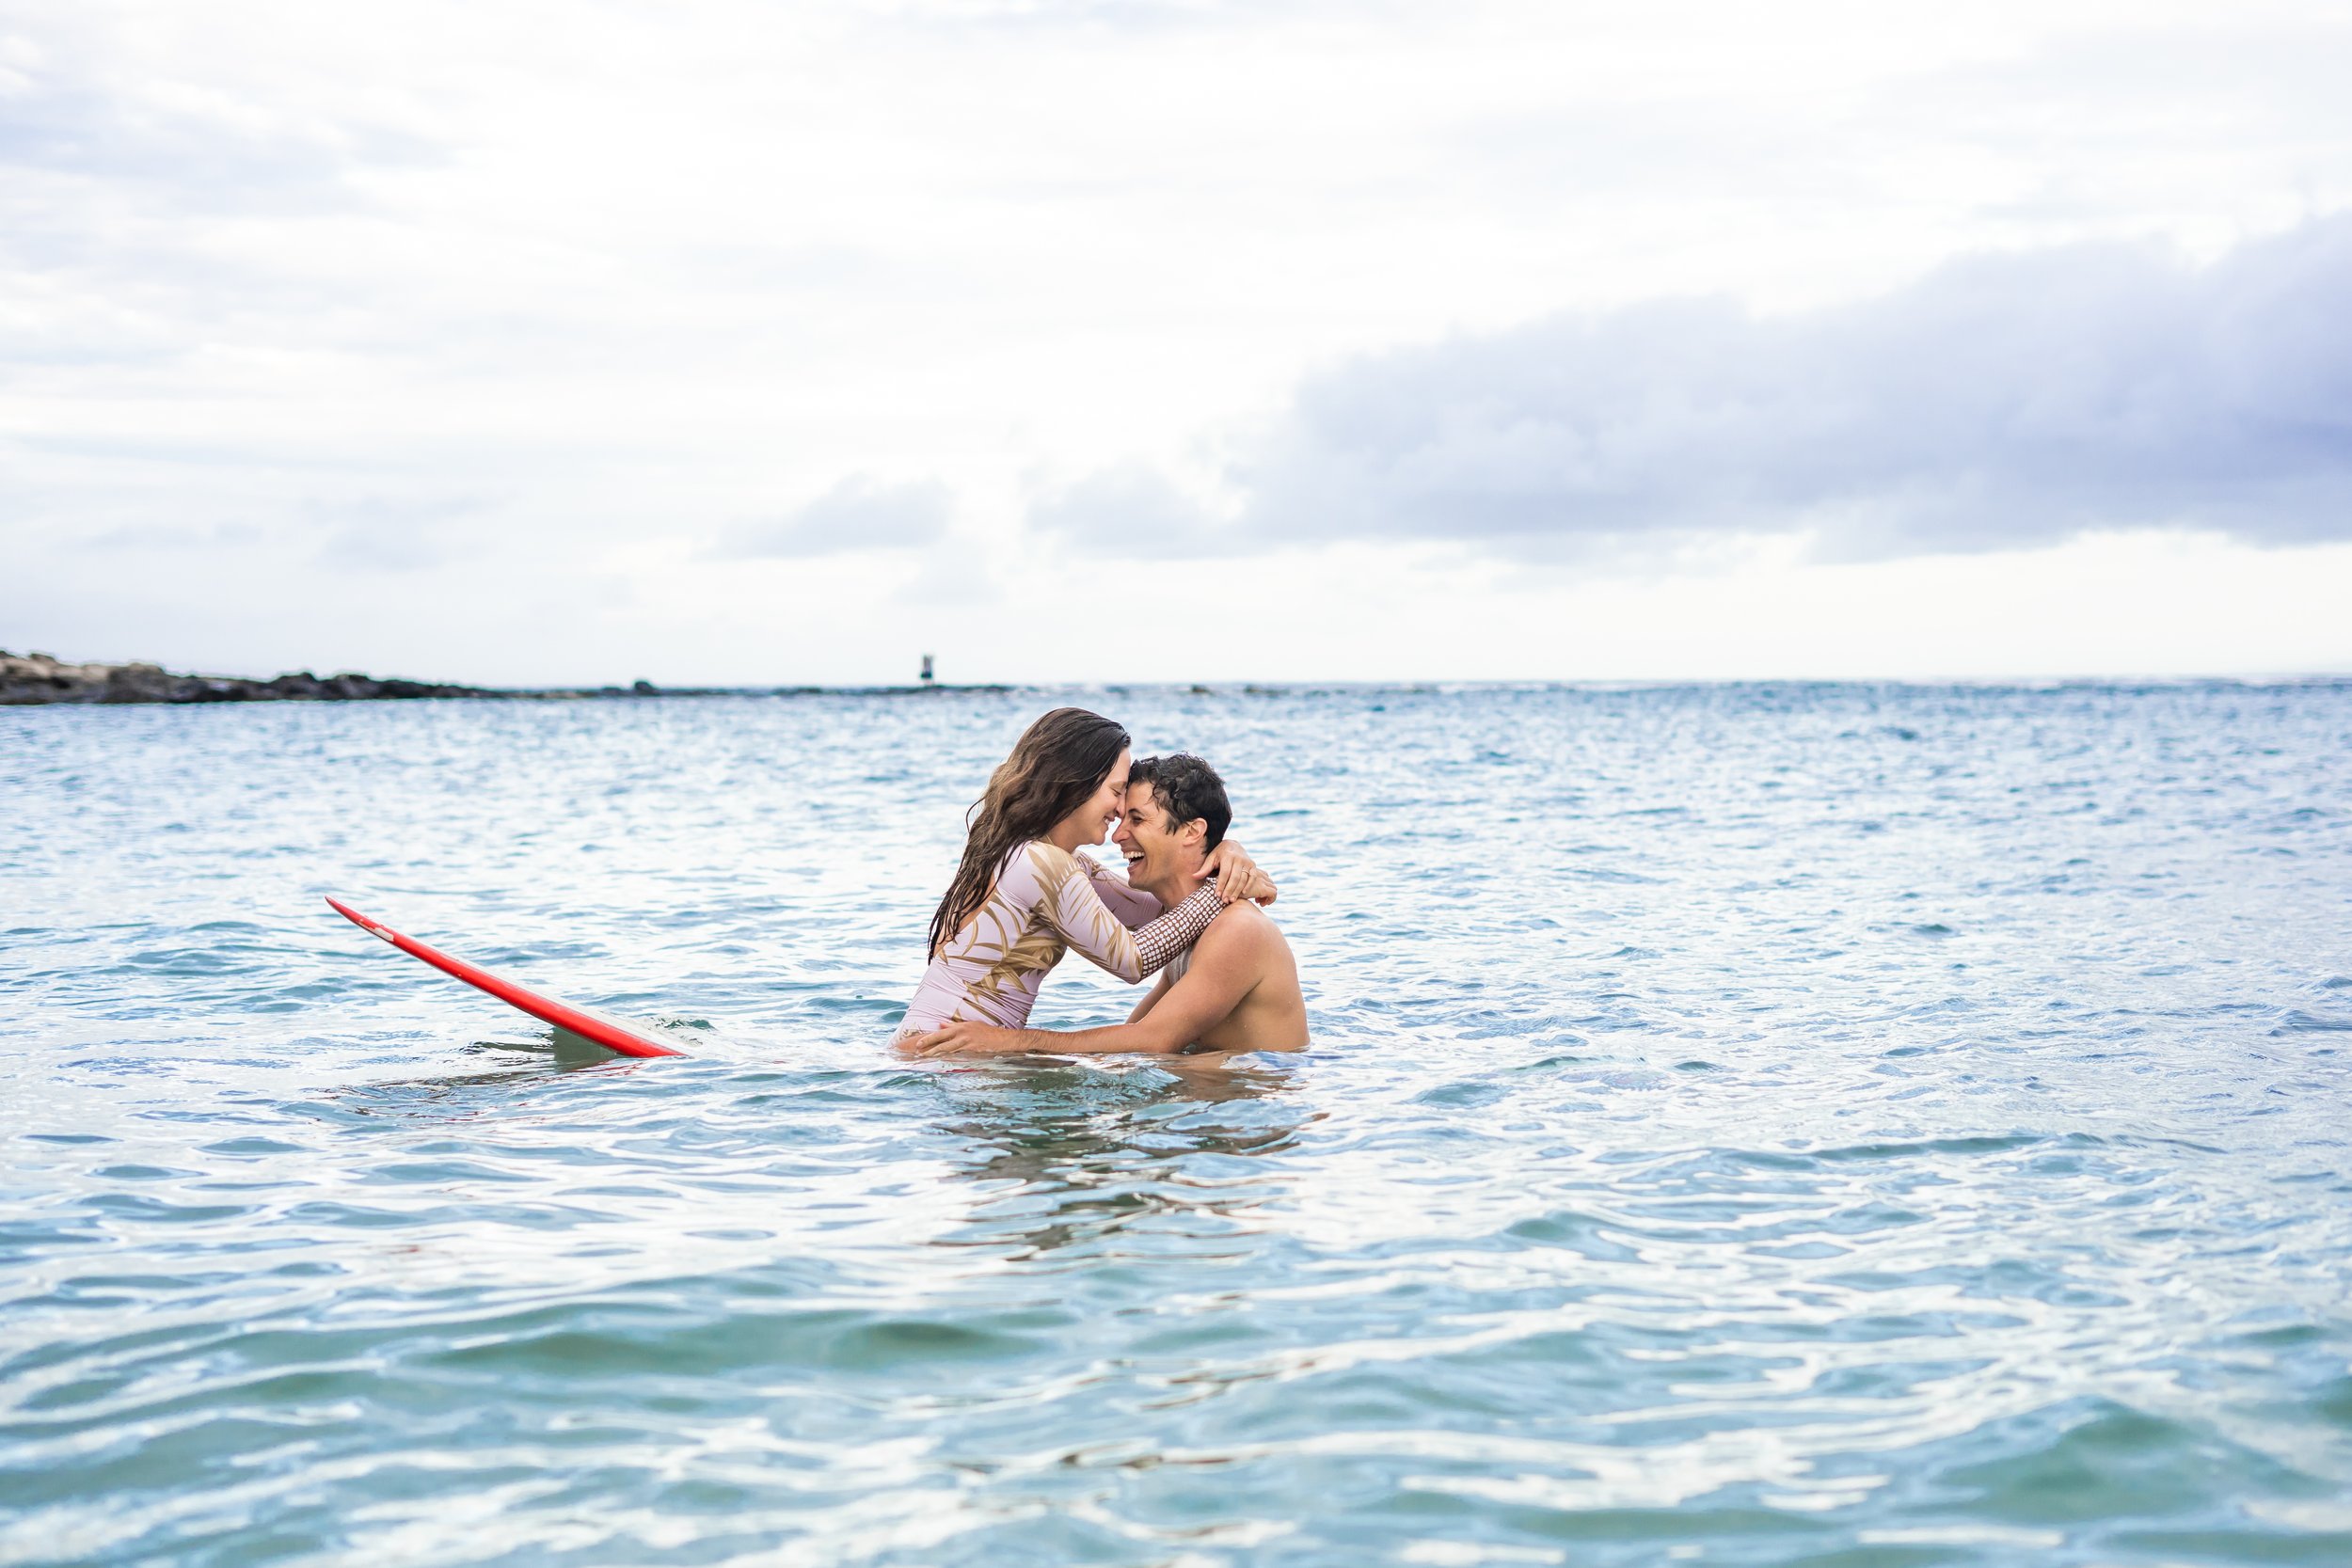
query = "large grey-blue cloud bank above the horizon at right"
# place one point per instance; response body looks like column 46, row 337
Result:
column 2003, row 401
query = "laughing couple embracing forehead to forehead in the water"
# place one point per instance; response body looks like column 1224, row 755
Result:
column 1027, row 894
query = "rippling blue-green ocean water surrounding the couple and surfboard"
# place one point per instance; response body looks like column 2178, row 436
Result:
column 1746, row 1125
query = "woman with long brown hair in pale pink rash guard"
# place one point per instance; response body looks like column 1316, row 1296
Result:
column 1024, row 894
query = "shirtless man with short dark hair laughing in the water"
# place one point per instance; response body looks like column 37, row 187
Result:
column 1238, row 986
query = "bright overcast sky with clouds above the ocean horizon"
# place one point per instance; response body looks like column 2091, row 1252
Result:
column 1097, row 342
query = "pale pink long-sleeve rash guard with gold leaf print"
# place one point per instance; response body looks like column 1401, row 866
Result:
column 1045, row 904
